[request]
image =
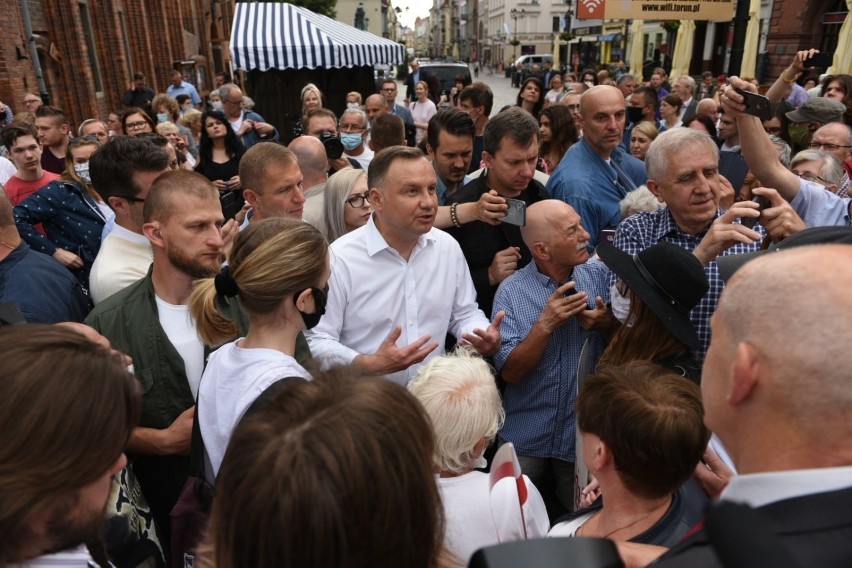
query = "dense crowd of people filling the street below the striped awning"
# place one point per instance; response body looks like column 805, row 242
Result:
column 337, row 334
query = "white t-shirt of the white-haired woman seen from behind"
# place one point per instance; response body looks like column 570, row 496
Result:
column 477, row 517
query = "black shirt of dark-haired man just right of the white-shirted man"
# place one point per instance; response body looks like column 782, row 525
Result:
column 480, row 241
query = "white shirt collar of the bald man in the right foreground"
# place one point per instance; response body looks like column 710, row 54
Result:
column 759, row 489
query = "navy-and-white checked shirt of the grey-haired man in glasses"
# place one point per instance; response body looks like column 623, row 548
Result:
column 642, row 230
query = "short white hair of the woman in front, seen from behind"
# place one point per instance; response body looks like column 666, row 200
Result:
column 459, row 394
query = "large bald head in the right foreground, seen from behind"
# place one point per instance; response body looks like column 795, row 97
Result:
column 790, row 309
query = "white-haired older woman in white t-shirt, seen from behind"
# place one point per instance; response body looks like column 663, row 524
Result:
column 461, row 398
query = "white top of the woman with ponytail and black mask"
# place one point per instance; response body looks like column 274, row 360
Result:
column 234, row 378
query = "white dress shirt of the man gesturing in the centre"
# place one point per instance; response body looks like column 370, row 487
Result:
column 372, row 289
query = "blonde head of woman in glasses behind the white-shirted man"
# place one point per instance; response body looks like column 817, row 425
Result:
column 347, row 203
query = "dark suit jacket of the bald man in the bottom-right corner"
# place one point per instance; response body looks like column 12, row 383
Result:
column 816, row 530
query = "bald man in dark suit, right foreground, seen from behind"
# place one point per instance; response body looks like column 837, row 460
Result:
column 789, row 438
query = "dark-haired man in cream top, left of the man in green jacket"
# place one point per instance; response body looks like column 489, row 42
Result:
column 122, row 172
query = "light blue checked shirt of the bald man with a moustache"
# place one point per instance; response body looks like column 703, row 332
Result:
column 540, row 409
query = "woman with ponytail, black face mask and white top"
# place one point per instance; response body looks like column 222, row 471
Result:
column 278, row 268
